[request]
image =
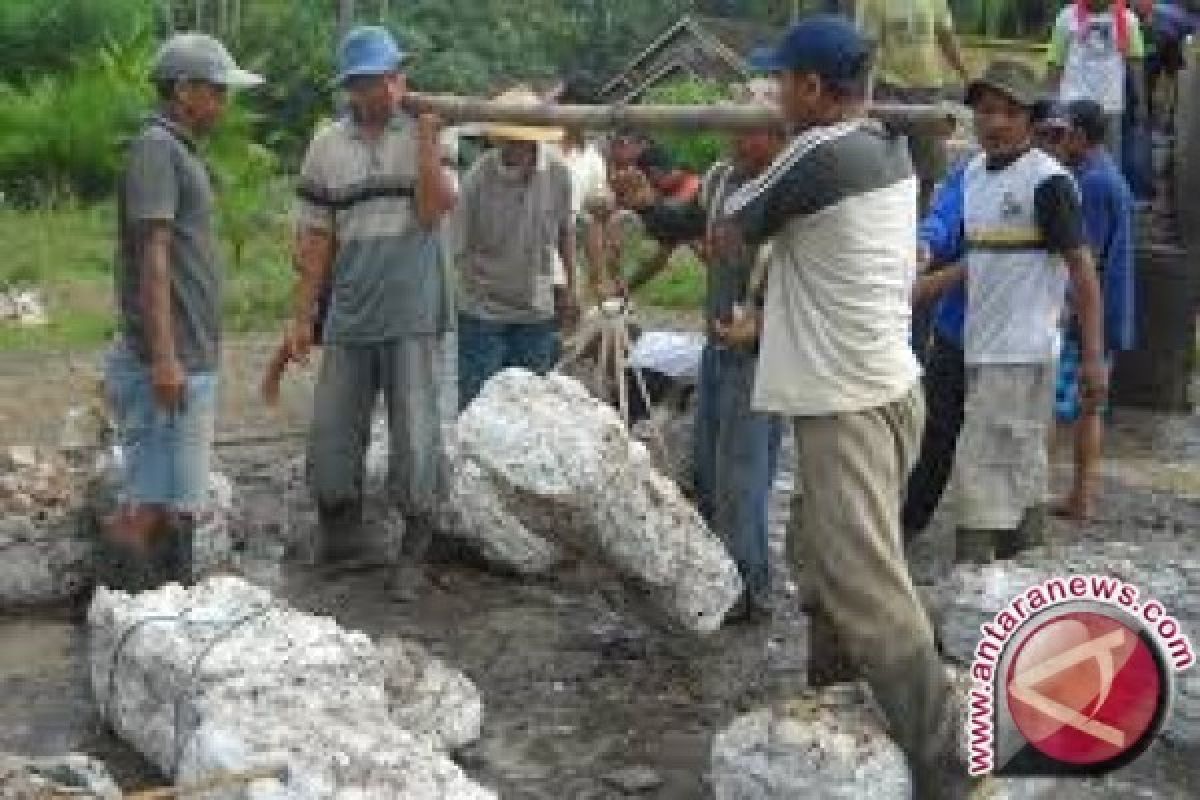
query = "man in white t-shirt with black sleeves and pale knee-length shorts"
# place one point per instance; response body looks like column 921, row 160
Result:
column 1024, row 242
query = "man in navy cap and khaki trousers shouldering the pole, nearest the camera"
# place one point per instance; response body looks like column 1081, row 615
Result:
column 839, row 210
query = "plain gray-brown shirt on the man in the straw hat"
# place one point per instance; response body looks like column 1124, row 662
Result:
column 511, row 233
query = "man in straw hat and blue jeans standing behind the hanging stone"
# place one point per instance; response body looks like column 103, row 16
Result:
column 518, row 222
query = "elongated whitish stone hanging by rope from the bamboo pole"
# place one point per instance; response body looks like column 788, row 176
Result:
column 567, row 468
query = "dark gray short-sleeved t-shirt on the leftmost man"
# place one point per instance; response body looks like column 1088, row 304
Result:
column 166, row 182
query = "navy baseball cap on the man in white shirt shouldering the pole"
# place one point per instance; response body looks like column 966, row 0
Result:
column 825, row 45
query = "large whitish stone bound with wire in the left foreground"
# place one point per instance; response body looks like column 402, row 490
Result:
column 224, row 677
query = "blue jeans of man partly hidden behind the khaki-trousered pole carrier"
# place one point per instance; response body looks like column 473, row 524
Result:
column 737, row 450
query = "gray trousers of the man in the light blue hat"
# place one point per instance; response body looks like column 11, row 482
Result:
column 350, row 383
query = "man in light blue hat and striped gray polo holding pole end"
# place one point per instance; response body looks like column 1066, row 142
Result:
column 373, row 194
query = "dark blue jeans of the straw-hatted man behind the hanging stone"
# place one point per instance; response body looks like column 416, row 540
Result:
column 487, row 348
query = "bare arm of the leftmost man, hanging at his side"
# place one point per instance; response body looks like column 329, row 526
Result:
column 167, row 374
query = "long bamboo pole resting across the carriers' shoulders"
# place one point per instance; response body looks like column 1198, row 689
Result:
column 460, row 111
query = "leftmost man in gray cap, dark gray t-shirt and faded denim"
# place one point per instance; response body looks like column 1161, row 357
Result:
column 163, row 372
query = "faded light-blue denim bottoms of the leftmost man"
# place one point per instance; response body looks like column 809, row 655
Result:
column 166, row 454
